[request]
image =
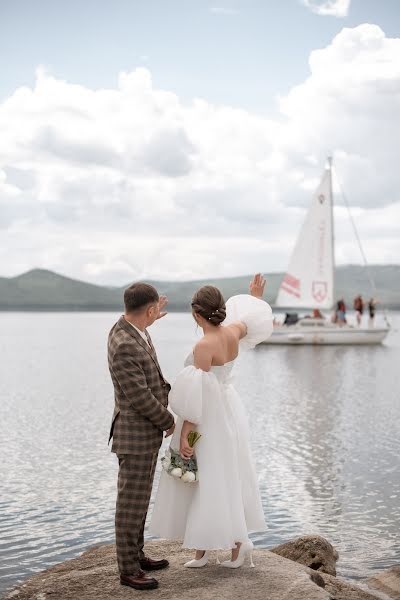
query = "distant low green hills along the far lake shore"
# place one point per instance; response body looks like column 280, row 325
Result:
column 47, row 291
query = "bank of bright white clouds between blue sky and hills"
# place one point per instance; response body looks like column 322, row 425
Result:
column 115, row 184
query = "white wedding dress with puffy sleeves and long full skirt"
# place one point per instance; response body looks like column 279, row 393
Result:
column 224, row 505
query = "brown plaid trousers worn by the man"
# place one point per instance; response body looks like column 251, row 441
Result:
column 135, row 481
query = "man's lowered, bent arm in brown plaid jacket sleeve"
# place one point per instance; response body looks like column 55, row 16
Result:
column 133, row 383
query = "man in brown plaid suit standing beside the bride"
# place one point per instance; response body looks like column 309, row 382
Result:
column 139, row 419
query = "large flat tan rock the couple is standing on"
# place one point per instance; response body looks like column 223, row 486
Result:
column 94, row 576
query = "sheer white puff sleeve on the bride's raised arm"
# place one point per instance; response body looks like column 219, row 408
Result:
column 255, row 313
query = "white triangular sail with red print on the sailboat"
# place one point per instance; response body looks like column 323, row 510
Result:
column 310, row 277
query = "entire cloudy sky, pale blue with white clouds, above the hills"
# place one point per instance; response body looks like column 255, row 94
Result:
column 177, row 139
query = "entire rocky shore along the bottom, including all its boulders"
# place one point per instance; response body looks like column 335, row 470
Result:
column 302, row 569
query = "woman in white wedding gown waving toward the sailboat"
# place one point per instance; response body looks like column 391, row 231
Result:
column 218, row 511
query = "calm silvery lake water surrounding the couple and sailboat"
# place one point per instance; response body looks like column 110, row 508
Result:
column 325, row 430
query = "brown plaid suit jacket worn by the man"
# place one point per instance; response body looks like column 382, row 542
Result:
column 140, row 392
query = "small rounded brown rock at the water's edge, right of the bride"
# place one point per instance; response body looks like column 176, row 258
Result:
column 313, row 551
